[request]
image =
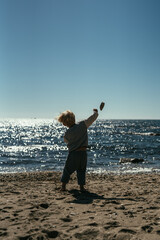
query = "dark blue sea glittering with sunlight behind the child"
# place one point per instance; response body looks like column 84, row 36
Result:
column 37, row 145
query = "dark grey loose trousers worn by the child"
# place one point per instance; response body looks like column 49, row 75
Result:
column 76, row 161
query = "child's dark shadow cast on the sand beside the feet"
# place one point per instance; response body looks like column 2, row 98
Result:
column 84, row 197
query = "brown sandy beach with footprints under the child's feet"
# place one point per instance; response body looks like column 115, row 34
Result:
column 116, row 207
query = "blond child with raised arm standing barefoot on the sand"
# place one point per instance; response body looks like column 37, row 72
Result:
column 76, row 138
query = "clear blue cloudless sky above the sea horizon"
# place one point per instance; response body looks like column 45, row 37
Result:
column 73, row 54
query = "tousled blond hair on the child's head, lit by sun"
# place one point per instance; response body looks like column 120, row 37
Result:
column 67, row 118
